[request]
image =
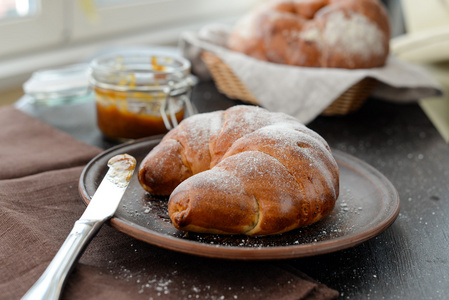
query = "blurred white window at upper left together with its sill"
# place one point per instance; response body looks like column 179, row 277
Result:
column 37, row 34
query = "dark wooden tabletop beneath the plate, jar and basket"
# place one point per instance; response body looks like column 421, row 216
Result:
column 410, row 260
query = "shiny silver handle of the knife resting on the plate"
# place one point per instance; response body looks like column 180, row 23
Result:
column 50, row 284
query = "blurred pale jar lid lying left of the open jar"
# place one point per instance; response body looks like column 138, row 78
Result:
column 64, row 82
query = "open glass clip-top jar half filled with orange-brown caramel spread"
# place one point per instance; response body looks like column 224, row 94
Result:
column 139, row 94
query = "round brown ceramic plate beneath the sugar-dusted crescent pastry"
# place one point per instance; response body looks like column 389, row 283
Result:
column 368, row 204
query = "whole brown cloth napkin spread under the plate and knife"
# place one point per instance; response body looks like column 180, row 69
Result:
column 39, row 203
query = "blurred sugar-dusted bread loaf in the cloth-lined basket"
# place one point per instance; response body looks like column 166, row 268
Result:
column 350, row 34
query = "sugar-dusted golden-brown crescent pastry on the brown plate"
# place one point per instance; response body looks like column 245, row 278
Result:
column 244, row 170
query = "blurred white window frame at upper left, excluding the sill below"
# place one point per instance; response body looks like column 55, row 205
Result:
column 28, row 26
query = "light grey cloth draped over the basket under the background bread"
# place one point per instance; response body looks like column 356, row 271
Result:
column 303, row 92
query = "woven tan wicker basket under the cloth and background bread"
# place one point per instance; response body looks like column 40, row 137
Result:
column 230, row 85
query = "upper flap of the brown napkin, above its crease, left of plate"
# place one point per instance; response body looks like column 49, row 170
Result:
column 29, row 147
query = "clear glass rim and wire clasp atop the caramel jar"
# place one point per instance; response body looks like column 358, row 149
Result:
column 141, row 71
